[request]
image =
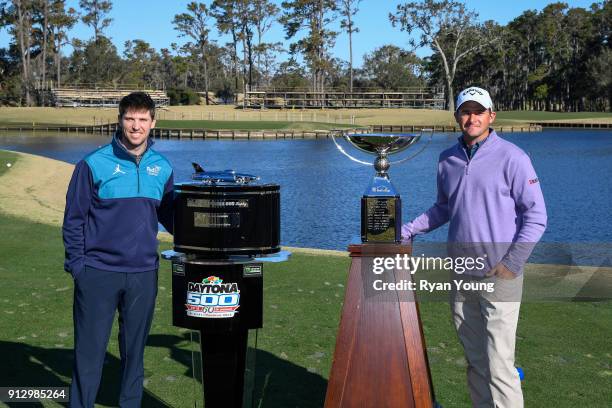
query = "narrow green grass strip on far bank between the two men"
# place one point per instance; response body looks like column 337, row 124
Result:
column 247, row 125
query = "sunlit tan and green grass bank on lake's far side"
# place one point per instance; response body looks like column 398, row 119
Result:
column 187, row 117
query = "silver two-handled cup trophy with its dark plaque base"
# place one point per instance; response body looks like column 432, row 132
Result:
column 381, row 205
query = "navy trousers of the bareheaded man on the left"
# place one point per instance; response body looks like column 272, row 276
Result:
column 97, row 295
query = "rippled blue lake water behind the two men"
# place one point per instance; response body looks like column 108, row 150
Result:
column 321, row 189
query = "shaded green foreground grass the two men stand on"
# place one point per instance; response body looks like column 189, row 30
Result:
column 563, row 347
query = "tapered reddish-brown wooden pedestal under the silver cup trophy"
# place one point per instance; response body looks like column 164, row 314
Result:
column 380, row 358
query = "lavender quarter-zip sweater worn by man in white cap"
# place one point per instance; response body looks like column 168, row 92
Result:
column 494, row 199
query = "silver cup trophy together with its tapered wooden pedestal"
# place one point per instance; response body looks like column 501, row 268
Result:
column 370, row 319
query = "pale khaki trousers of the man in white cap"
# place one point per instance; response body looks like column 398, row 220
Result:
column 487, row 330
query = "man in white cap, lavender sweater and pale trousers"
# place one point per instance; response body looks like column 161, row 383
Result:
column 490, row 194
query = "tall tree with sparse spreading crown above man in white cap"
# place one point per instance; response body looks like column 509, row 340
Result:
column 447, row 27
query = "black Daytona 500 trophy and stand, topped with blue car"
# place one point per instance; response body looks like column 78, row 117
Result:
column 221, row 223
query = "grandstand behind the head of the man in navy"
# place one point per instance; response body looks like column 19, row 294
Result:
column 75, row 96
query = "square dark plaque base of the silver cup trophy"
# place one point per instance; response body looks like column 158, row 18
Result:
column 381, row 219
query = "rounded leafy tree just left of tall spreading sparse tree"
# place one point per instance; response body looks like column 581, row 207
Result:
column 391, row 68
